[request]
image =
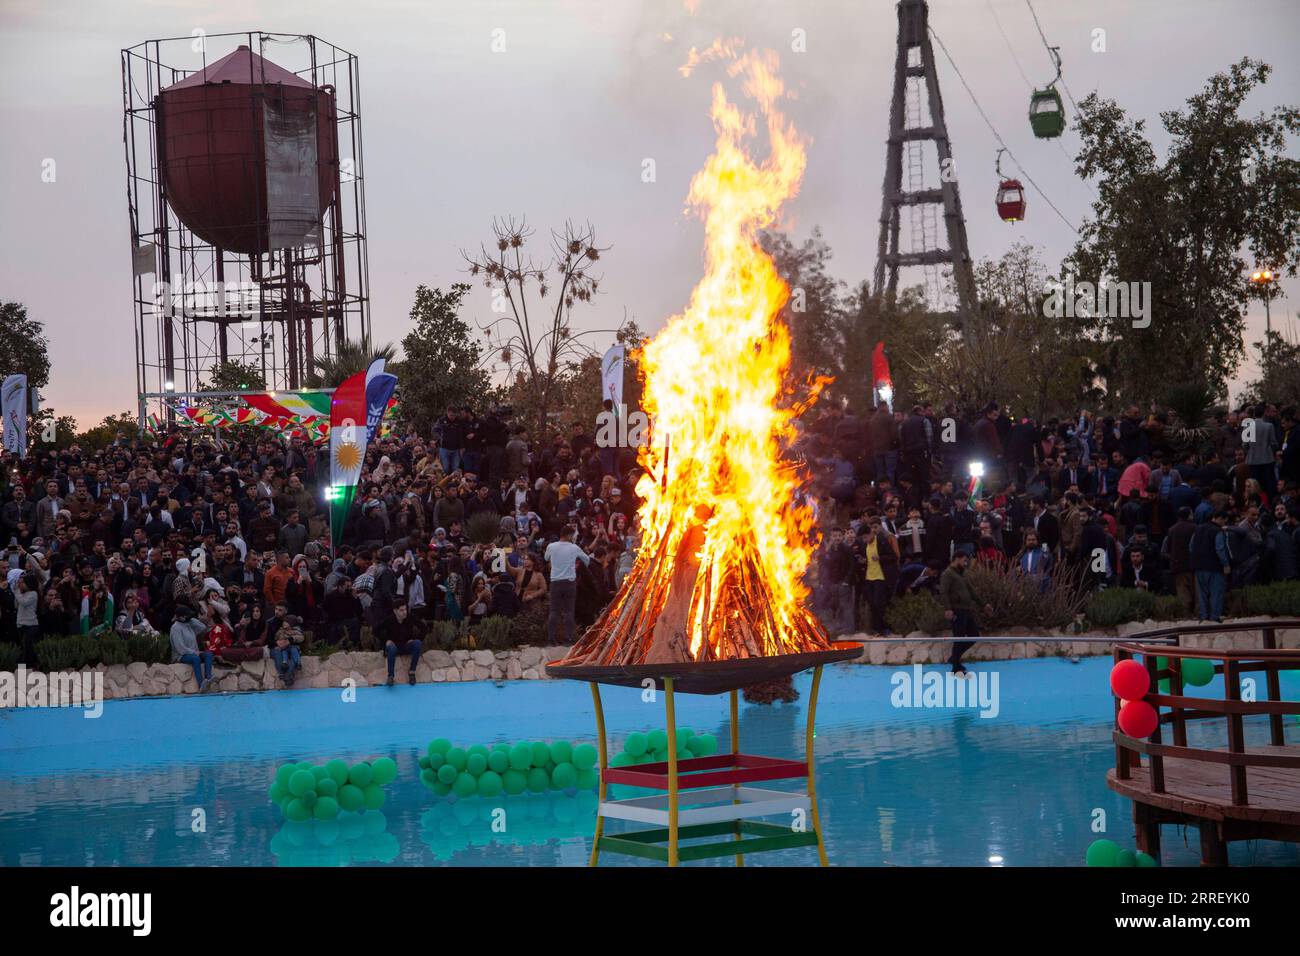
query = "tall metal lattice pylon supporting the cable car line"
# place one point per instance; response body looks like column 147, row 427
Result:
column 916, row 119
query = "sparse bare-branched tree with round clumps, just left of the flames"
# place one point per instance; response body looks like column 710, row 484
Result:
column 534, row 338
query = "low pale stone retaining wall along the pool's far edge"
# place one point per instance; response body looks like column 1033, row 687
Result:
column 528, row 664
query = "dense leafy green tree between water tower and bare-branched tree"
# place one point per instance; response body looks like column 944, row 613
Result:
column 444, row 367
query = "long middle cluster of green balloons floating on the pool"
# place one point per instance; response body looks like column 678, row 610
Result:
column 484, row 772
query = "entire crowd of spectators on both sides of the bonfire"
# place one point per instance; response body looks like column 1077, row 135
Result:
column 223, row 544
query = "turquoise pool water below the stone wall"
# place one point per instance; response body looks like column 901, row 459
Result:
column 898, row 786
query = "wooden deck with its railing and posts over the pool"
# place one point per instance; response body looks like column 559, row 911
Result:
column 1232, row 793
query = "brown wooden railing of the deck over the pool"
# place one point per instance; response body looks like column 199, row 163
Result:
column 1177, row 708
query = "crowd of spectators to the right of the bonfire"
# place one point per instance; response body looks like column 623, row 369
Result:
column 1126, row 501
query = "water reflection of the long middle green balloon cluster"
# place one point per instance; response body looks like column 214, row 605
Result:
column 525, row 820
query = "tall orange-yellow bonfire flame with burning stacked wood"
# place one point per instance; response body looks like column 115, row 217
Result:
column 726, row 537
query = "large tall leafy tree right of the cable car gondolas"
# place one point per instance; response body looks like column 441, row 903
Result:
column 1184, row 226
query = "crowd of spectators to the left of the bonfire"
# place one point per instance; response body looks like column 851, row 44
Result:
column 224, row 544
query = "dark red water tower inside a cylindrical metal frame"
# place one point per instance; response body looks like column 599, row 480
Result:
column 245, row 189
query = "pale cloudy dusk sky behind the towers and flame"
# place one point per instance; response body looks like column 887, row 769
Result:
column 557, row 127
